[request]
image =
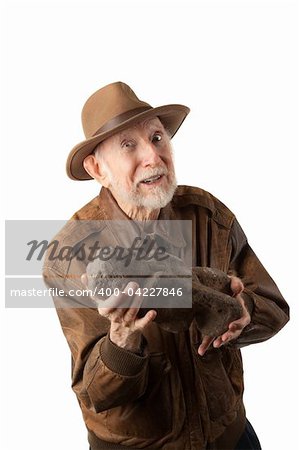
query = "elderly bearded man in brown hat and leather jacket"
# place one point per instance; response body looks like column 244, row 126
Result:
column 139, row 385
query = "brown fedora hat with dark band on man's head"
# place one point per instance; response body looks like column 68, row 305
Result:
column 110, row 110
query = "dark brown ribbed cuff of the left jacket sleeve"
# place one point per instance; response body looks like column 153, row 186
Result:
column 120, row 360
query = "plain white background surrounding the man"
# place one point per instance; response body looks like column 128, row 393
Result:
column 236, row 65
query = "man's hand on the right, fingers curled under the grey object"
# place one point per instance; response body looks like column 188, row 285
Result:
column 235, row 328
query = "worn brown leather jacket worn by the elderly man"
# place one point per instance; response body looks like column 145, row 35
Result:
column 168, row 398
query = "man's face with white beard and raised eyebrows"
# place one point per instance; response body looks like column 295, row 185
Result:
column 138, row 165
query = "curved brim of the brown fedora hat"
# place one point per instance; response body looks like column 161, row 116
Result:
column 171, row 116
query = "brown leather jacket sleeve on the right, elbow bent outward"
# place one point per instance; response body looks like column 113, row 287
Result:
column 269, row 311
